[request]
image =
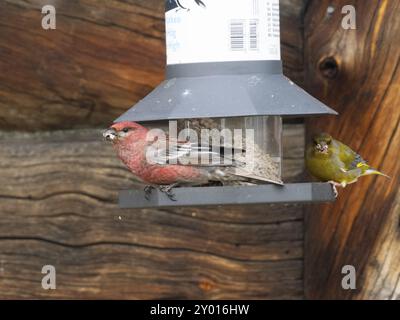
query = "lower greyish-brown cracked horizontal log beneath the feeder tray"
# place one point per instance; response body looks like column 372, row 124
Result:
column 58, row 206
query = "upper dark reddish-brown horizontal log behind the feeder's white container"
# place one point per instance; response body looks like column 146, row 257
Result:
column 101, row 59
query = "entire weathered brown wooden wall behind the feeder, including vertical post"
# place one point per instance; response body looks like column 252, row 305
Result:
column 59, row 181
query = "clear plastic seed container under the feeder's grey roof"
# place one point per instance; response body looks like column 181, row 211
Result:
column 254, row 143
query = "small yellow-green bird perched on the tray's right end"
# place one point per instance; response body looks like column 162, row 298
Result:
column 332, row 161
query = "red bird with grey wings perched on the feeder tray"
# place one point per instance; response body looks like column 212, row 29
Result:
column 165, row 168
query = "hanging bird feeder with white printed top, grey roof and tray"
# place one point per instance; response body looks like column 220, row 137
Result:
column 224, row 71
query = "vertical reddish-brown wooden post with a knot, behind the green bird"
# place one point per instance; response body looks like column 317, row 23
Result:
column 357, row 72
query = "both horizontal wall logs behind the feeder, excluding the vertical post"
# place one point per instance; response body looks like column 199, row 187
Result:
column 59, row 181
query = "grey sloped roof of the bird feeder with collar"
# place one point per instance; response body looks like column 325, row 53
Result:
column 225, row 89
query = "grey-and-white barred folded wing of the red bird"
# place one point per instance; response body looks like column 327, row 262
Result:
column 168, row 151
